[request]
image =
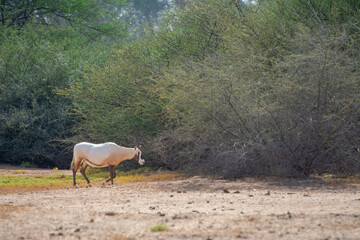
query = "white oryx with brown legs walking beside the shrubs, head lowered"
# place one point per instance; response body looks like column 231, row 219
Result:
column 102, row 155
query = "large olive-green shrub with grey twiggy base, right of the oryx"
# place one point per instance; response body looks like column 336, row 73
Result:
column 280, row 100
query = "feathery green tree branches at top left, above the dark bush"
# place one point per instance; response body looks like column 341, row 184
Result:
column 93, row 17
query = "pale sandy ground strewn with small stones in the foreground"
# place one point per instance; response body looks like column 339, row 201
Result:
column 194, row 208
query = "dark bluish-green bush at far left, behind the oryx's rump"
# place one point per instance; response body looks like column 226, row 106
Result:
column 34, row 119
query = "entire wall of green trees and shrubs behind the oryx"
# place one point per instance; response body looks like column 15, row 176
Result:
column 222, row 87
